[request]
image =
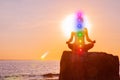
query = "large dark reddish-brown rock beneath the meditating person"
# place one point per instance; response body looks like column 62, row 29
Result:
column 89, row 66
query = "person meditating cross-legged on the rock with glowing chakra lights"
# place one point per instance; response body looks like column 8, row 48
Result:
column 79, row 38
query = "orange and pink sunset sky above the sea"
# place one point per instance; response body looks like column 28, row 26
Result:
column 30, row 28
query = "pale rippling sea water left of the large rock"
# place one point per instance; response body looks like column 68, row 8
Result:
column 27, row 70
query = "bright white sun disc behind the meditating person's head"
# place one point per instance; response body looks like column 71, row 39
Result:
column 69, row 23
